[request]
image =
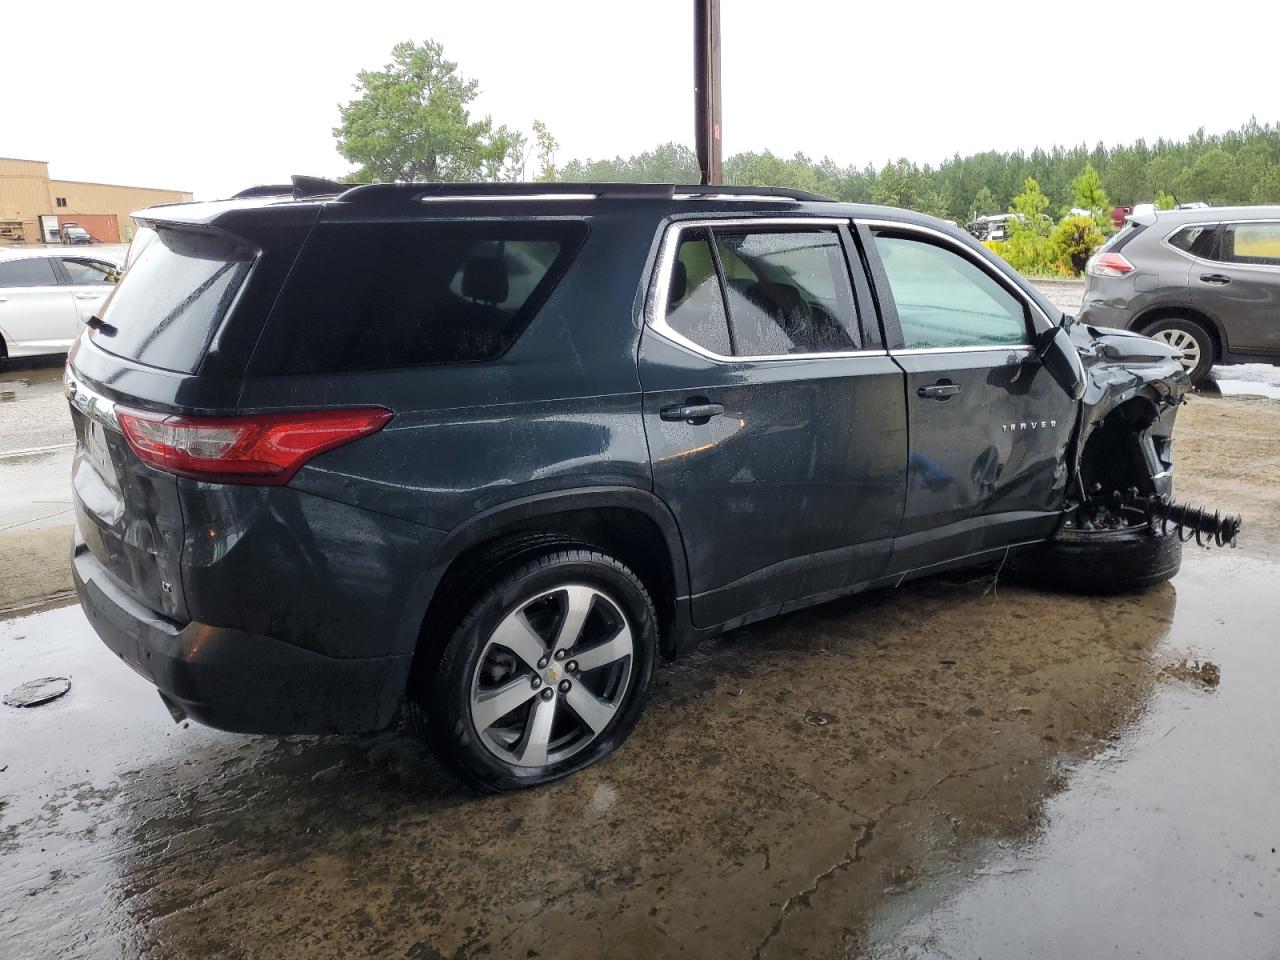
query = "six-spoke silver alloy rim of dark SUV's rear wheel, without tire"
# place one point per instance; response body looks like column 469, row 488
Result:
column 552, row 676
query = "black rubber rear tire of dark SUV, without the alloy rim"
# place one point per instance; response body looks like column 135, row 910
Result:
column 449, row 710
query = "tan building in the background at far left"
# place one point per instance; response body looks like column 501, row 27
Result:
column 26, row 193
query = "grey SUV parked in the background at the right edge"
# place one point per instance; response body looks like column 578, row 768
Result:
column 1206, row 282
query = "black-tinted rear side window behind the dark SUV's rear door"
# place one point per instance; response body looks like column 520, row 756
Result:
column 371, row 296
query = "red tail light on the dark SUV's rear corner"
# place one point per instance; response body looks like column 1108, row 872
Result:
column 267, row 450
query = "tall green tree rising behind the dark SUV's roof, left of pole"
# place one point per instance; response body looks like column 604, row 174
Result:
column 410, row 122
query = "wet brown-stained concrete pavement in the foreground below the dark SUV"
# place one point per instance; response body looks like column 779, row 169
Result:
column 1011, row 775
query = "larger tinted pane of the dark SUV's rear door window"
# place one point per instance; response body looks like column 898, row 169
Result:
column 789, row 292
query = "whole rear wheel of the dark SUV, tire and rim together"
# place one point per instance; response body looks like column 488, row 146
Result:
column 546, row 674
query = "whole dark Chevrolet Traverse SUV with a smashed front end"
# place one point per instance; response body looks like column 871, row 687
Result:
column 484, row 452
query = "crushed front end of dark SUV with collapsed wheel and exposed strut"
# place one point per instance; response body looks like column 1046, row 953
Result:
column 1122, row 529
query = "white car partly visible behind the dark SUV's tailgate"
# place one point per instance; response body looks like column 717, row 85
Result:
column 47, row 296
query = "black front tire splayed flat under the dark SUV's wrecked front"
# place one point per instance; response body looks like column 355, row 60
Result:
column 1100, row 563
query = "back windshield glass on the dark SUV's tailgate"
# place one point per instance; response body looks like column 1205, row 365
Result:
column 172, row 300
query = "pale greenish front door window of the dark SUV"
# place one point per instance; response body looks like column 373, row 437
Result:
column 945, row 300
